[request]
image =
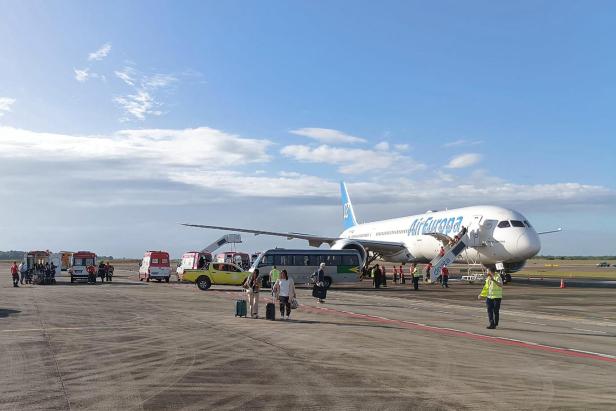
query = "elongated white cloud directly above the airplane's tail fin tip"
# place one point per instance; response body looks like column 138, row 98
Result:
column 351, row 160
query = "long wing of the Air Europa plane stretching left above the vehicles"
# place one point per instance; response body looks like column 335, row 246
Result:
column 383, row 247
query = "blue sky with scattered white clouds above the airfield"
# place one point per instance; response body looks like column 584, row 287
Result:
column 118, row 120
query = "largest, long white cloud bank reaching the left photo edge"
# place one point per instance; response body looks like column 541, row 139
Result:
column 201, row 147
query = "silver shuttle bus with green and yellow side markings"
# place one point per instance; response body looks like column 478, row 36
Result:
column 340, row 265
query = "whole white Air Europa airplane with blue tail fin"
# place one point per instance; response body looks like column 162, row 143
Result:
column 486, row 235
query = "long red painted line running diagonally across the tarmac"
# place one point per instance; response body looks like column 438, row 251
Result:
column 459, row 333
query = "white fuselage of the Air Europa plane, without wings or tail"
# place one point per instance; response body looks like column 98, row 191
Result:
column 497, row 235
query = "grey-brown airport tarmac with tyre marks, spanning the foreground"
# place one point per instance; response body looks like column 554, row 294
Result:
column 135, row 345
